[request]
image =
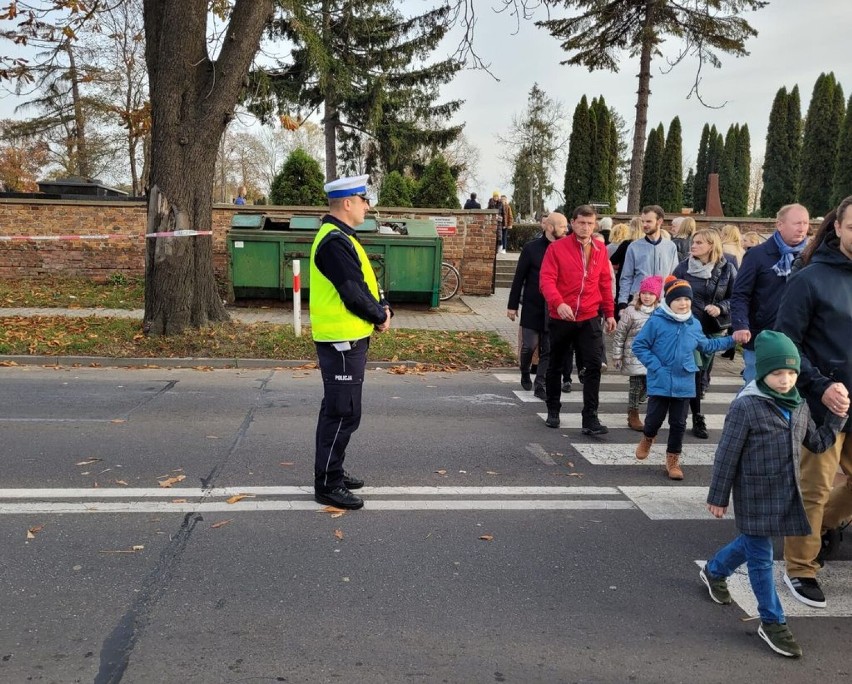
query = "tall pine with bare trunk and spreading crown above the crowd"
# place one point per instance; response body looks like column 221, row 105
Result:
column 600, row 31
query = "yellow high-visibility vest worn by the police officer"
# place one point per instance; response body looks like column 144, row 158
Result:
column 331, row 321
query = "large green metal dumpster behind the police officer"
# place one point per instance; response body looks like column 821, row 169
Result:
column 405, row 254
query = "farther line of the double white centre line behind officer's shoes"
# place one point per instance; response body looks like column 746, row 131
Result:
column 224, row 492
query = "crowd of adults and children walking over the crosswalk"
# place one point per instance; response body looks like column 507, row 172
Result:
column 672, row 304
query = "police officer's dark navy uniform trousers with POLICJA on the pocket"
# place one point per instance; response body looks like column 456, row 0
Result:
column 340, row 410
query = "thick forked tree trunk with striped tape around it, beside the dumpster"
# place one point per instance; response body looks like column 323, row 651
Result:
column 192, row 100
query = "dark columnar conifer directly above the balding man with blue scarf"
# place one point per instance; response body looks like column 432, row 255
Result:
column 779, row 177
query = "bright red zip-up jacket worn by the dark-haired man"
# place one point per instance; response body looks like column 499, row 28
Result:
column 566, row 278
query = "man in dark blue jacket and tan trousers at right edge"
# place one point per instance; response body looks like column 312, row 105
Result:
column 816, row 313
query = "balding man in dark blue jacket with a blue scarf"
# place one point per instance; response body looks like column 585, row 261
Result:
column 762, row 279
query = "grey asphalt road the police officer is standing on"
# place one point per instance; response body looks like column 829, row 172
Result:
column 576, row 580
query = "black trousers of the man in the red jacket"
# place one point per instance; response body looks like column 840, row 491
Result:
column 584, row 337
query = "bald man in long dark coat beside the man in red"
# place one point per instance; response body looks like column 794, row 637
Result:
column 534, row 310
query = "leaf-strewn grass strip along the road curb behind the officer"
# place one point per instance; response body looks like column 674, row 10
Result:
column 123, row 338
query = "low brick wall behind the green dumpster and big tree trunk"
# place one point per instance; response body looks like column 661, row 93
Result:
column 471, row 249
